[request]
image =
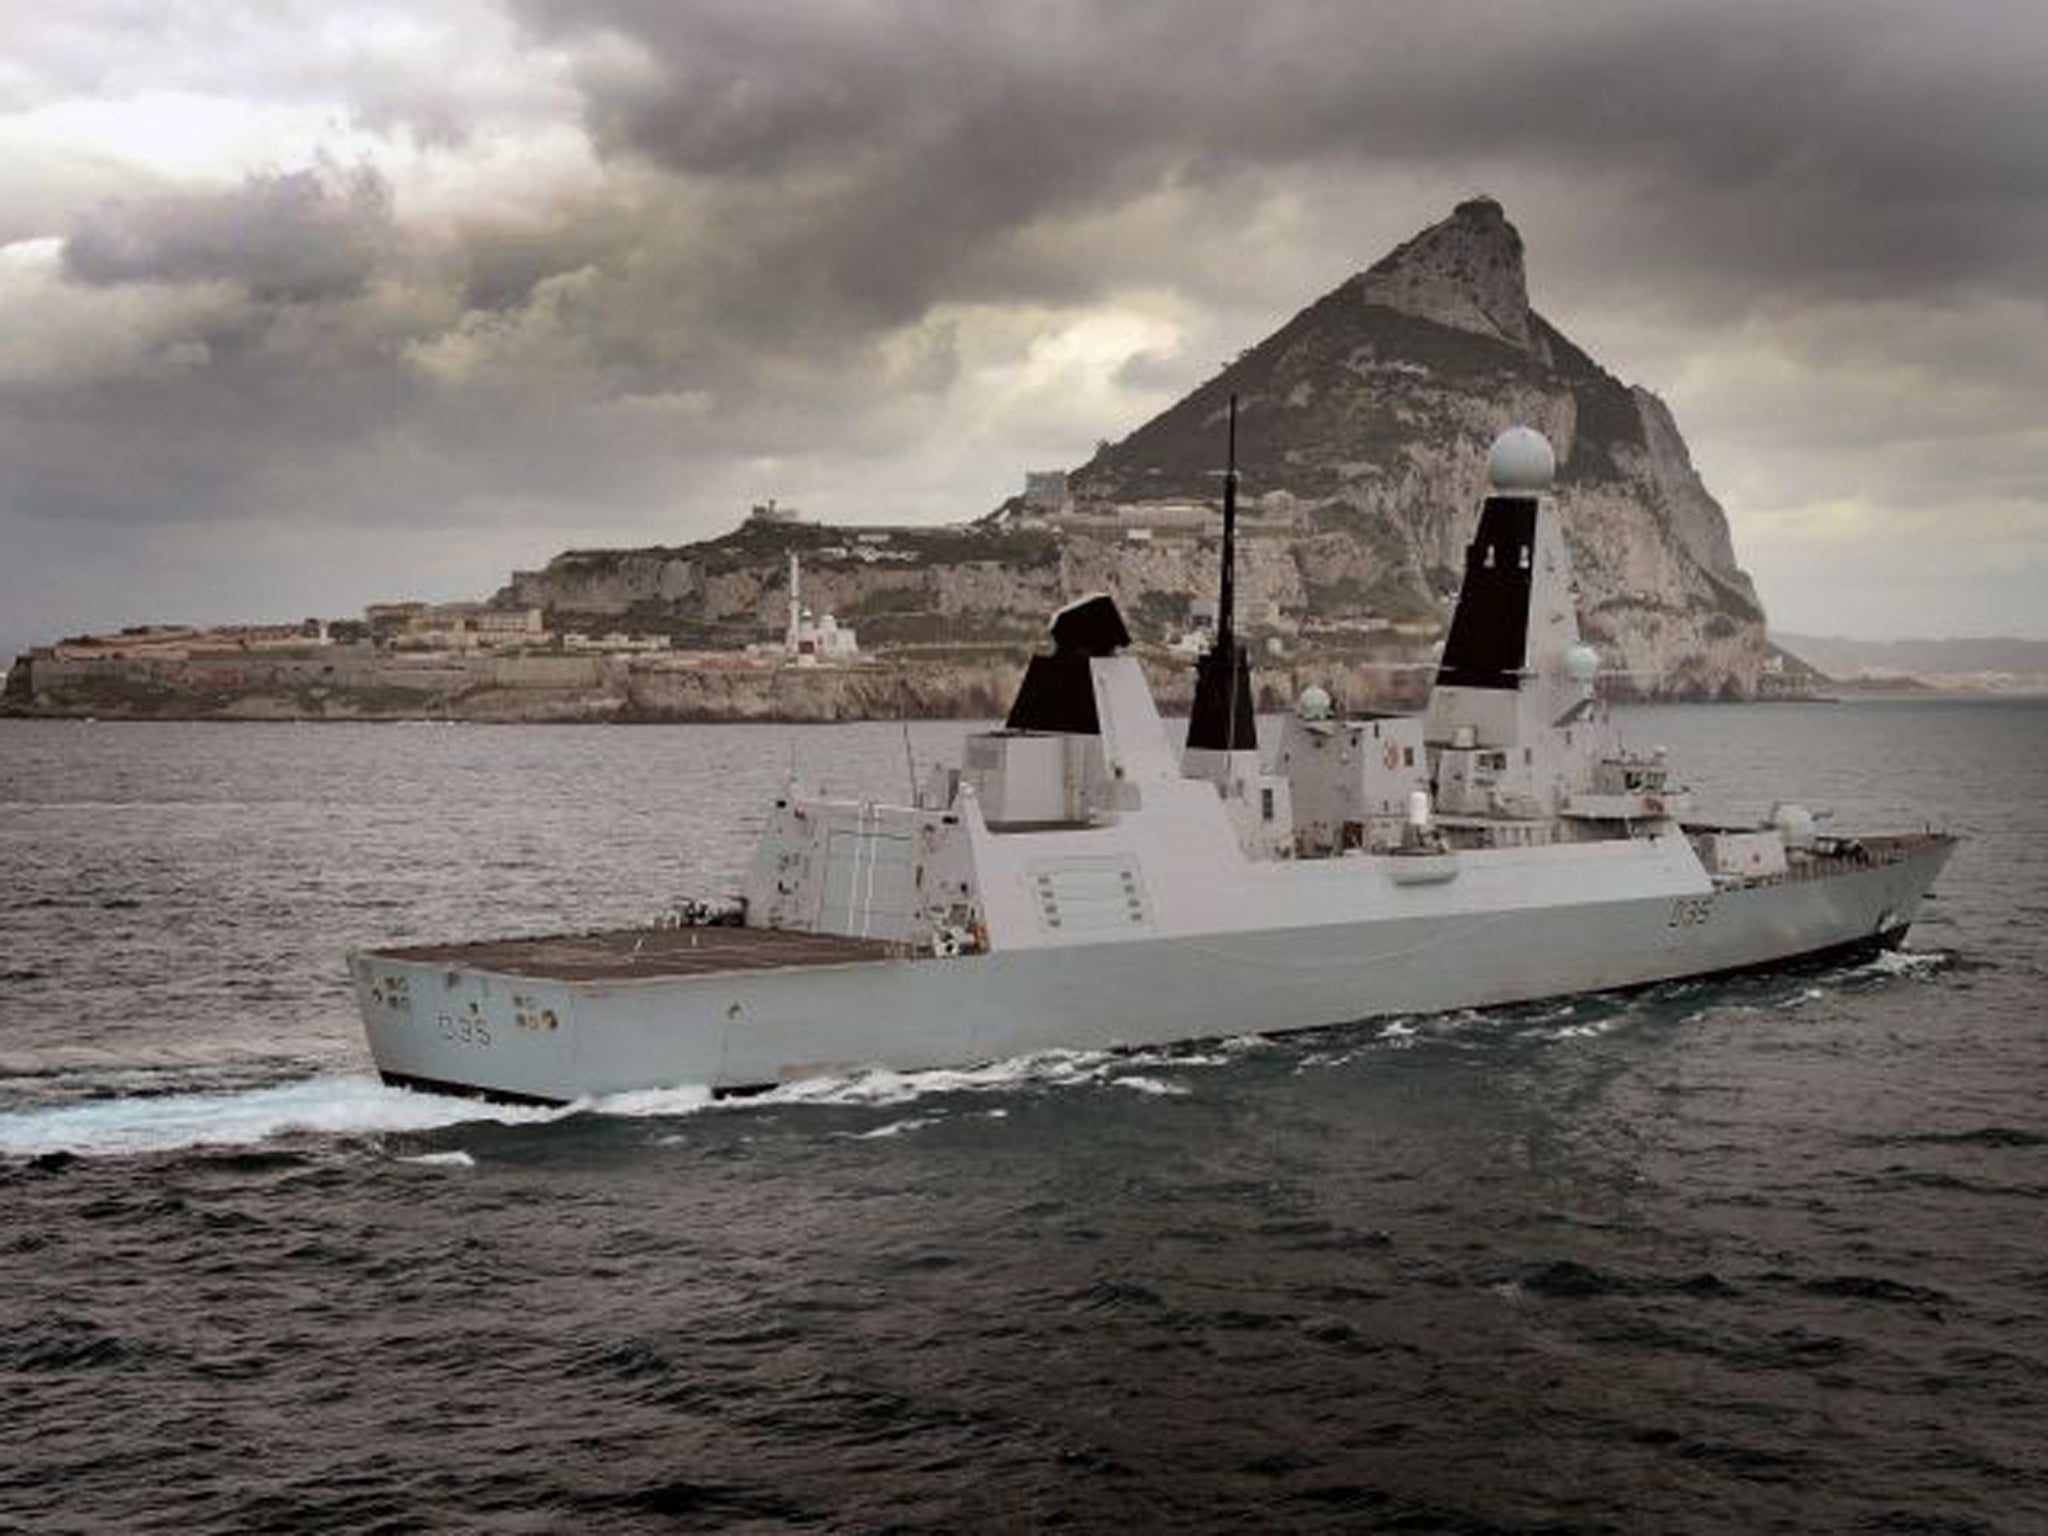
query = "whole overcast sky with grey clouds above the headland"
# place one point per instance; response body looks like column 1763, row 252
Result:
column 308, row 304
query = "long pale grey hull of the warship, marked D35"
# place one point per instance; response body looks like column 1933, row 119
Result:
column 462, row 1029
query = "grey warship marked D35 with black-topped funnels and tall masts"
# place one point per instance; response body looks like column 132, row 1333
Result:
column 1078, row 882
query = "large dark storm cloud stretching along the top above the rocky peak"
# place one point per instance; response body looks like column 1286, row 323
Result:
column 1826, row 148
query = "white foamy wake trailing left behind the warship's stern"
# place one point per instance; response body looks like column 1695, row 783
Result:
column 341, row 1107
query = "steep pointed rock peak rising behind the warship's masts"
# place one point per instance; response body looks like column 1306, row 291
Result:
column 1371, row 413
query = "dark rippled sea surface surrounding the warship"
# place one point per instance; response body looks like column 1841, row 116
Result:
column 1752, row 1256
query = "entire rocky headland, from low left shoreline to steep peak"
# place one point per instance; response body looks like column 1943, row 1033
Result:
column 1363, row 439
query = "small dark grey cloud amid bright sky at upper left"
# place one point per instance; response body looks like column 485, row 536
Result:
column 296, row 237
